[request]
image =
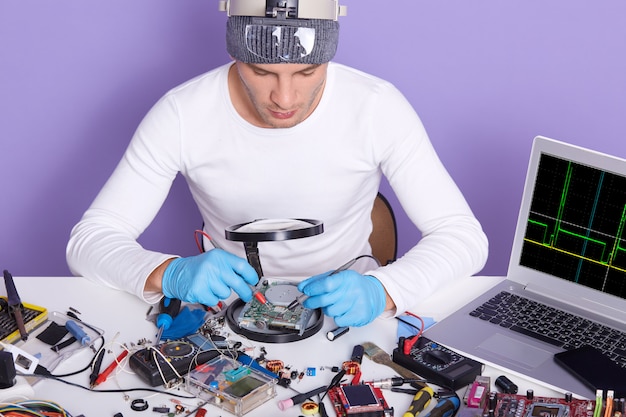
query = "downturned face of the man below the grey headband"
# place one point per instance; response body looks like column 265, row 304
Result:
column 276, row 95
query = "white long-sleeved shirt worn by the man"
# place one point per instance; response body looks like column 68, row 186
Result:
column 326, row 168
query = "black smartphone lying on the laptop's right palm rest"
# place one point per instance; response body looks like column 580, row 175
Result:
column 594, row 369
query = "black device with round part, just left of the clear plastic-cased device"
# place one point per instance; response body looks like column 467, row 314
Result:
column 170, row 360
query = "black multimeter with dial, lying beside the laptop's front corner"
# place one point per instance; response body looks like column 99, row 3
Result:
column 438, row 364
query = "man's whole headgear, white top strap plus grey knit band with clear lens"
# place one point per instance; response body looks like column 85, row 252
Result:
column 282, row 31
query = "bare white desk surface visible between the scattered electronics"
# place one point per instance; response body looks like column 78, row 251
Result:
column 124, row 315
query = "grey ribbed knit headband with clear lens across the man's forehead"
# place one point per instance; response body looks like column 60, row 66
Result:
column 258, row 40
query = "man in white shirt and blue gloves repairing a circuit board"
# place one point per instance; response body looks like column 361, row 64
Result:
column 282, row 133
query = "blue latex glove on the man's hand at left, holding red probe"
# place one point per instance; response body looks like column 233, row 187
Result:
column 208, row 278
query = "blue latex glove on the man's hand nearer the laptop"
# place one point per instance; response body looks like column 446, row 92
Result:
column 350, row 298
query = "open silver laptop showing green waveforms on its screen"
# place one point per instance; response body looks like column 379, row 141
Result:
column 569, row 253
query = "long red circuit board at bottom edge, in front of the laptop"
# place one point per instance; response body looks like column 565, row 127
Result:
column 514, row 405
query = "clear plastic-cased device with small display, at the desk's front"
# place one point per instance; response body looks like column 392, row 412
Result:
column 230, row 385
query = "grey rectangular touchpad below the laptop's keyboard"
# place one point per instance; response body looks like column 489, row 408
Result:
column 514, row 351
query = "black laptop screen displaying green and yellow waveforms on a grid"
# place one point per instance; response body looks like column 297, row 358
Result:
column 575, row 221
